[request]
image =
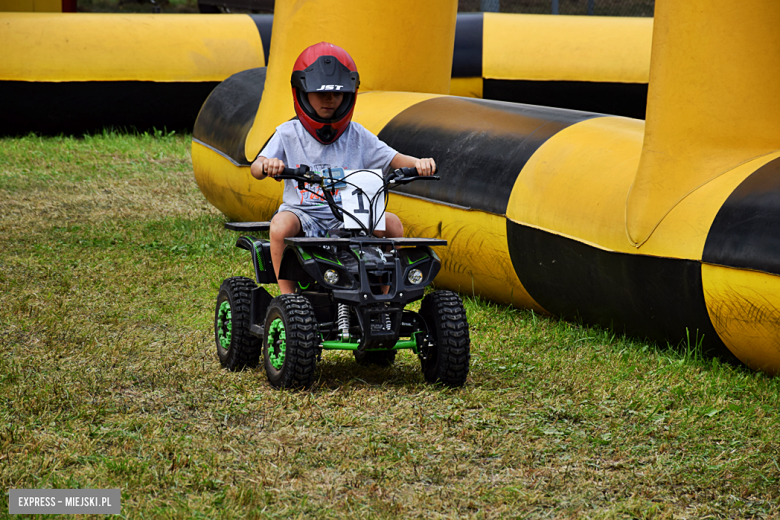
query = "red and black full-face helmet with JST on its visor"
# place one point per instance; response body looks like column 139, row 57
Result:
column 324, row 67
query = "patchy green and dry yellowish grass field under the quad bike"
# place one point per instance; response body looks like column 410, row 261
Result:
column 110, row 263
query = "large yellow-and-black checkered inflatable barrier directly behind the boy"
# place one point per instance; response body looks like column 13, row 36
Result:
column 664, row 229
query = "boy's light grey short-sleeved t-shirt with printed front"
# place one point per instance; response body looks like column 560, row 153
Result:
column 356, row 148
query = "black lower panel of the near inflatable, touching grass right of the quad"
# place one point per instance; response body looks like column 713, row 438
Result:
column 644, row 296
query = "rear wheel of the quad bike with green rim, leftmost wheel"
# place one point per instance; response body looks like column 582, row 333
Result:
column 236, row 347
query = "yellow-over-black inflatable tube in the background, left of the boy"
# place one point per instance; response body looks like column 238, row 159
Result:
column 75, row 73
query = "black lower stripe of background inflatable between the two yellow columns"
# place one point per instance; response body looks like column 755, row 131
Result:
column 620, row 99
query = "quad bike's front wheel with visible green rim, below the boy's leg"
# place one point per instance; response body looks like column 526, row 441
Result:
column 290, row 342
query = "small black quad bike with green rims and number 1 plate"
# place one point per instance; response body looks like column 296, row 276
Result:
column 351, row 292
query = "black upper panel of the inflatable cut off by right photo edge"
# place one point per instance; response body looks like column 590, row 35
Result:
column 745, row 233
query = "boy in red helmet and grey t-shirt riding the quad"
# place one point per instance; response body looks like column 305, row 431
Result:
column 324, row 86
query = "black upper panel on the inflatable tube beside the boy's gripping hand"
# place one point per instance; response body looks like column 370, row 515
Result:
column 480, row 146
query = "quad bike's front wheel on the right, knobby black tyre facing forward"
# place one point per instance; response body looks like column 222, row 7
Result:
column 445, row 357
